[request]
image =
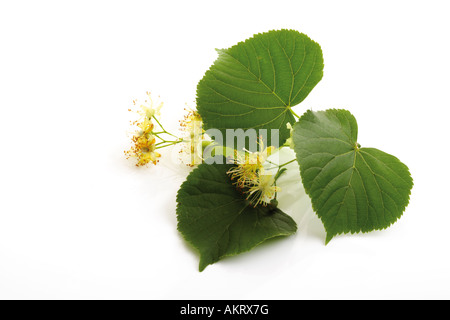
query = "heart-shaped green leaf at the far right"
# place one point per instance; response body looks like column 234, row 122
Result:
column 352, row 189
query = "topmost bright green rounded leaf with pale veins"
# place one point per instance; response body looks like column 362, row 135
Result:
column 254, row 84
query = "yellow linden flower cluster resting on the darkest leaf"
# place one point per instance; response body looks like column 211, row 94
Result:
column 251, row 177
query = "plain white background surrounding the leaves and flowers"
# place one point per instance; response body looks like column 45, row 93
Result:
column 78, row 221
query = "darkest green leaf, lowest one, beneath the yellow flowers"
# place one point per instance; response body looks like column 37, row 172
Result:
column 217, row 219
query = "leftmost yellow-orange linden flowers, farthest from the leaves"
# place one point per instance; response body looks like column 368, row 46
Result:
column 144, row 142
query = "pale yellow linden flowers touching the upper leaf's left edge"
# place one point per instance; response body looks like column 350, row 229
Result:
column 192, row 127
